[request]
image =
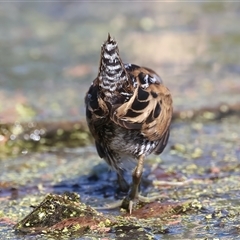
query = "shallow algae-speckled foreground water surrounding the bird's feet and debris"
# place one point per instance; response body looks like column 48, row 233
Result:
column 207, row 153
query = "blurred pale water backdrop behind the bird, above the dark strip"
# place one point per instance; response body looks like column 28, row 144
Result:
column 49, row 52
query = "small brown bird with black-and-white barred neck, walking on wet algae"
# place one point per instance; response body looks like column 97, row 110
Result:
column 129, row 112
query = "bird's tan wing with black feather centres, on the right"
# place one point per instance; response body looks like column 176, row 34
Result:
column 150, row 107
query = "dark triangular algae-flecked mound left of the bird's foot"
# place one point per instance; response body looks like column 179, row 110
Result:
column 63, row 213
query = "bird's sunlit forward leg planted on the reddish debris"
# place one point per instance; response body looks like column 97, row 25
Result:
column 136, row 178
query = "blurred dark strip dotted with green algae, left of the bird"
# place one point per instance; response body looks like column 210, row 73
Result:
column 21, row 138
